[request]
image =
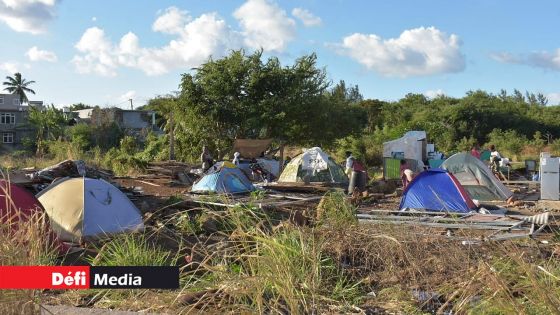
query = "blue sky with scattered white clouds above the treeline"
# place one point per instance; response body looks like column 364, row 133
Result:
column 103, row 52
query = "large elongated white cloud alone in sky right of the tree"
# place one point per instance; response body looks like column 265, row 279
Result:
column 416, row 52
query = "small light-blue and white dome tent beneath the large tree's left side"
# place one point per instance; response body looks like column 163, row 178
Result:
column 223, row 178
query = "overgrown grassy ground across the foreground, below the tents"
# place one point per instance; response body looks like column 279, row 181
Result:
column 244, row 260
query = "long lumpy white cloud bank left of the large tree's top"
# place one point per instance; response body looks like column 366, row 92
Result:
column 207, row 35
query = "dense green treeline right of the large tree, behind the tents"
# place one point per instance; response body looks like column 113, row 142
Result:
column 452, row 123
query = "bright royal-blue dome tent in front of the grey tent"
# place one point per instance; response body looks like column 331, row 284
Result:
column 436, row 190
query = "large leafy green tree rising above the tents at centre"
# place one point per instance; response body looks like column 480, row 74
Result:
column 244, row 96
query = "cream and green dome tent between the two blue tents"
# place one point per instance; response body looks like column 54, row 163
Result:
column 294, row 172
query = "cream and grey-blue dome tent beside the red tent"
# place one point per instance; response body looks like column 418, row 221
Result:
column 85, row 208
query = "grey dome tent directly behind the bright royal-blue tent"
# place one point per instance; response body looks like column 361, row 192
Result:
column 476, row 177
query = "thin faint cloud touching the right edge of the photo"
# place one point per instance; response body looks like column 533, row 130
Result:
column 540, row 59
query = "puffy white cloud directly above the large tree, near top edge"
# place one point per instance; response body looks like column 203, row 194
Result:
column 265, row 25
